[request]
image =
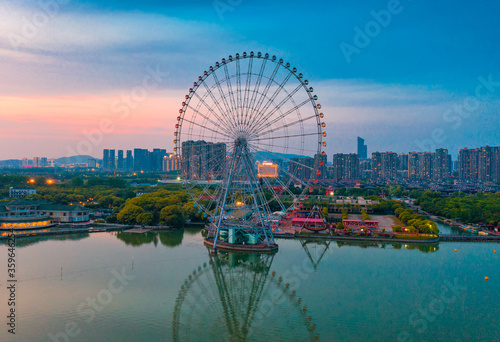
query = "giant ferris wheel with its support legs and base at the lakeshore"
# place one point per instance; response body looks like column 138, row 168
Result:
column 248, row 135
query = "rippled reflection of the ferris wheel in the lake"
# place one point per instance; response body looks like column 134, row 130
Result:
column 236, row 297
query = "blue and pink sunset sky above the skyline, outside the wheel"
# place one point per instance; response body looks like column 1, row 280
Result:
column 409, row 75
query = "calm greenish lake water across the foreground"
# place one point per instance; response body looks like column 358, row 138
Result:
column 167, row 287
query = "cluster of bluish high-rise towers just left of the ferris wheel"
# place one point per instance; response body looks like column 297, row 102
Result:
column 157, row 160
